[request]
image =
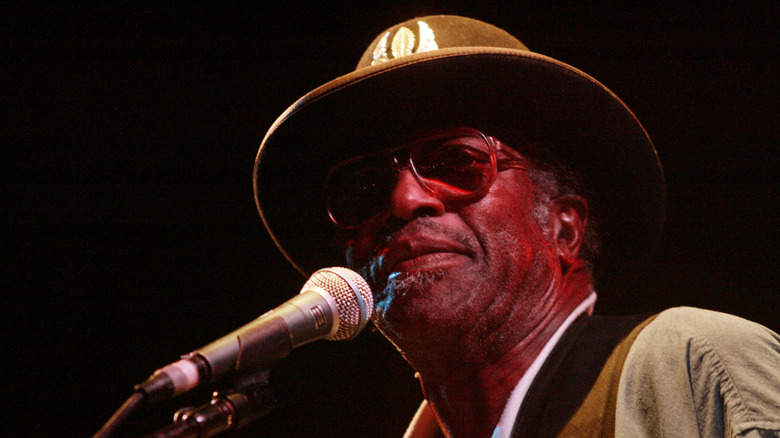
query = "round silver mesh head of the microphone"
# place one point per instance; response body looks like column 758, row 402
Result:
column 353, row 297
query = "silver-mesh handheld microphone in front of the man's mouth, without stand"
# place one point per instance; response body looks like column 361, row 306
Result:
column 335, row 304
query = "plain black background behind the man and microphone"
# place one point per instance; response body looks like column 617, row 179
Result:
column 130, row 232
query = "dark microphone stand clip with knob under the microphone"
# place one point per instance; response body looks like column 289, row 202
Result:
column 249, row 399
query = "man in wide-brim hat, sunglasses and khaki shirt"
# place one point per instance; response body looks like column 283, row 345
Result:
column 468, row 180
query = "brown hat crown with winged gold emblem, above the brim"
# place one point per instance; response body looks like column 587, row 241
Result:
column 425, row 34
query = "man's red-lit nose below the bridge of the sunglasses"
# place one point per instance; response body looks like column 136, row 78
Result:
column 409, row 200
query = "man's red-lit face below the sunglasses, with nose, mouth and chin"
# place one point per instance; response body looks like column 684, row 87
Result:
column 442, row 269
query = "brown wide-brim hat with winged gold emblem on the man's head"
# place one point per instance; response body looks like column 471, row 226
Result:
column 443, row 71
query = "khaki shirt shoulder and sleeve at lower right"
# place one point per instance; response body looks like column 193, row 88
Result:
column 694, row 372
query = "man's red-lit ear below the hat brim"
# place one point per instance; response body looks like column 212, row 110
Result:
column 569, row 214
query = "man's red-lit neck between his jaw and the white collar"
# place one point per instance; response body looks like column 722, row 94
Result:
column 468, row 387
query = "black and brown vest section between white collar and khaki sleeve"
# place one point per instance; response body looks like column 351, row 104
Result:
column 575, row 391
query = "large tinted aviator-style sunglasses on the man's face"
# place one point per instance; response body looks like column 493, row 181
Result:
column 458, row 165
